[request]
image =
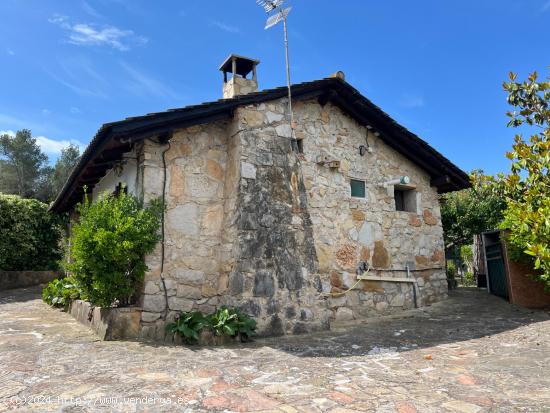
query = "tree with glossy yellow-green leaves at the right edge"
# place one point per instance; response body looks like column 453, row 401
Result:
column 527, row 188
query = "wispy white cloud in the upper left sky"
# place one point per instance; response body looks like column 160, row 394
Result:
column 89, row 34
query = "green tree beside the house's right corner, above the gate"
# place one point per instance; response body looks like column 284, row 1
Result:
column 471, row 211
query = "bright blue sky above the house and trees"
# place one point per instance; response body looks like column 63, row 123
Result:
column 435, row 66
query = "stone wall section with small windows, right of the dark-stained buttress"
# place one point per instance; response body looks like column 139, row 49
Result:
column 350, row 230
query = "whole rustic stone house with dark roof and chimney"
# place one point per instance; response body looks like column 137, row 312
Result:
column 279, row 222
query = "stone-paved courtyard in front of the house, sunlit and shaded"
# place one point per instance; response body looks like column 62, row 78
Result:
column 471, row 353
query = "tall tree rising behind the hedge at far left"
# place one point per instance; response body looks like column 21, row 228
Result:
column 23, row 164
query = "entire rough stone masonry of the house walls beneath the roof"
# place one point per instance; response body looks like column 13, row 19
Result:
column 252, row 223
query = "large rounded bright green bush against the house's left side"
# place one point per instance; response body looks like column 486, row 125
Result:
column 108, row 245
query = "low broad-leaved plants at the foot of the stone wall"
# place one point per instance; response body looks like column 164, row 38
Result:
column 222, row 322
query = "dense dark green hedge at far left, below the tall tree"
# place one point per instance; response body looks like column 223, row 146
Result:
column 29, row 235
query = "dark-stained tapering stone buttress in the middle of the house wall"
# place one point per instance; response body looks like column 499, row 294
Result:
column 275, row 277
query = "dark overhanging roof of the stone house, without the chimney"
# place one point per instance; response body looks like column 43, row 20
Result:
column 112, row 139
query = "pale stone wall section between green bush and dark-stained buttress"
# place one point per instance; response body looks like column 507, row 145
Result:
column 199, row 197
